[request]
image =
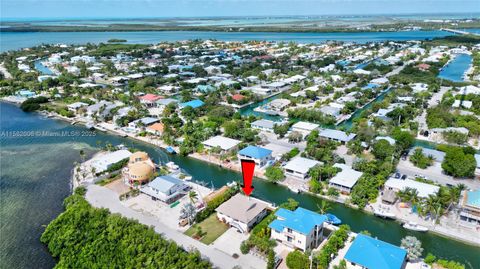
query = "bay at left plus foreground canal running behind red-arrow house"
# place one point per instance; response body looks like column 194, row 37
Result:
column 35, row 179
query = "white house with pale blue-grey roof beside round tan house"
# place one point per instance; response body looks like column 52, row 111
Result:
column 165, row 188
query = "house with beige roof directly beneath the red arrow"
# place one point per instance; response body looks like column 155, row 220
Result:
column 242, row 212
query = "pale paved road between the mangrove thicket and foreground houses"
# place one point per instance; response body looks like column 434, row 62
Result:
column 104, row 198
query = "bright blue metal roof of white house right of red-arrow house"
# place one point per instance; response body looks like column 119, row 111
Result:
column 301, row 220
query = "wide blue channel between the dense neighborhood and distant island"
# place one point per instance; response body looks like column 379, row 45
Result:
column 16, row 40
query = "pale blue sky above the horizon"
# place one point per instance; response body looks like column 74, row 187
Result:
column 23, row 9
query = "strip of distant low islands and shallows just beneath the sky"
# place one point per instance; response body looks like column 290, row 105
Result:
column 295, row 24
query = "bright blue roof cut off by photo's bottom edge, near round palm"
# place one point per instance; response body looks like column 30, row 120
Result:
column 372, row 253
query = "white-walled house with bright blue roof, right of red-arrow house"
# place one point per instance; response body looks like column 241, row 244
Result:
column 299, row 229
